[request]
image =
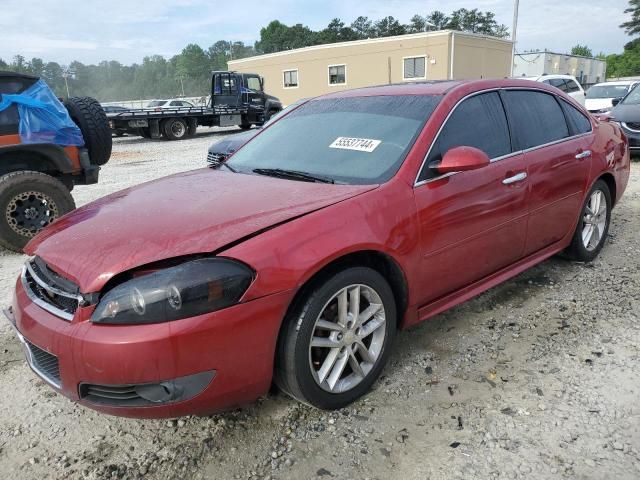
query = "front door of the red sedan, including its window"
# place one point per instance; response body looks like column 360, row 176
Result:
column 471, row 223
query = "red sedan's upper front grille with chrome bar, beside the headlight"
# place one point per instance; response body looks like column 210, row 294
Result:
column 50, row 291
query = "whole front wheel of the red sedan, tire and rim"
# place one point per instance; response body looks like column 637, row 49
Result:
column 335, row 343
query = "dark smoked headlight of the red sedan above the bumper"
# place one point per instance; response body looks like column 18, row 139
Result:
column 190, row 289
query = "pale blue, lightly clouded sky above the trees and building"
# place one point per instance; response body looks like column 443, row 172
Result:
column 128, row 30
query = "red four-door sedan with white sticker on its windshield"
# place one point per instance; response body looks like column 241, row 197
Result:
column 353, row 215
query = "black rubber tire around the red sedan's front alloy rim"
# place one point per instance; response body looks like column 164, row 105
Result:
column 293, row 373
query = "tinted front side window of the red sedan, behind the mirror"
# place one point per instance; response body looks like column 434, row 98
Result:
column 480, row 122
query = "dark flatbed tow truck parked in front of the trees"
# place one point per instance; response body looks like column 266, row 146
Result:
column 236, row 99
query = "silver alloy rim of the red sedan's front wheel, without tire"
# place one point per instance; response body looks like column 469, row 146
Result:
column 348, row 338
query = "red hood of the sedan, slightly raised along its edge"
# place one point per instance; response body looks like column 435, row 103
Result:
column 184, row 214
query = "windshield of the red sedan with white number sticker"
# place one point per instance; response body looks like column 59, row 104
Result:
column 360, row 140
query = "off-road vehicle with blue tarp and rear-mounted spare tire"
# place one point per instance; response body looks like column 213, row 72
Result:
column 46, row 147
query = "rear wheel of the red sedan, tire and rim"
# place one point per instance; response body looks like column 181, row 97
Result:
column 593, row 224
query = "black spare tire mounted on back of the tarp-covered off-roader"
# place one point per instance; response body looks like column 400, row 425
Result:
column 88, row 114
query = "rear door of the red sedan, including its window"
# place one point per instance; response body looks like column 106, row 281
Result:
column 556, row 139
